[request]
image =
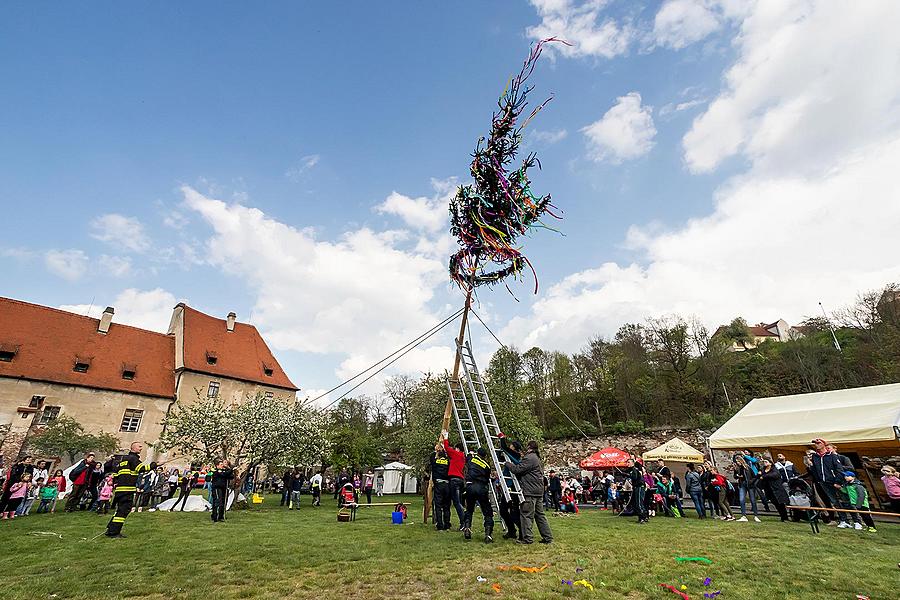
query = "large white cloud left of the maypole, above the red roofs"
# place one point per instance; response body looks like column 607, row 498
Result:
column 360, row 295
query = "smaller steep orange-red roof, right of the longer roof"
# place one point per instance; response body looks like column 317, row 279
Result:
column 240, row 354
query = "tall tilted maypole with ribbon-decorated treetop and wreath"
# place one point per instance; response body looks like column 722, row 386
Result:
column 488, row 215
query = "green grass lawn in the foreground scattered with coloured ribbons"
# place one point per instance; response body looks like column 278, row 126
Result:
column 269, row 552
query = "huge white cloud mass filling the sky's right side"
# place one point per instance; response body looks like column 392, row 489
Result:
column 815, row 215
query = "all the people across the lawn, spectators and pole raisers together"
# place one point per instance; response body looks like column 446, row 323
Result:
column 463, row 482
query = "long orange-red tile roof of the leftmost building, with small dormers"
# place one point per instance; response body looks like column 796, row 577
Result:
column 48, row 341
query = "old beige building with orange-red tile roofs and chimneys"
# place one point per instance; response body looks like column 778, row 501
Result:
column 122, row 379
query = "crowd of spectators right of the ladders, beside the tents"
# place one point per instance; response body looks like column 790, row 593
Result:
column 829, row 481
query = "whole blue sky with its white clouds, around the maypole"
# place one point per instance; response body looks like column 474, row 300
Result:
column 245, row 160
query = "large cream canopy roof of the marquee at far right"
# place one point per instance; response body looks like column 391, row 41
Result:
column 856, row 415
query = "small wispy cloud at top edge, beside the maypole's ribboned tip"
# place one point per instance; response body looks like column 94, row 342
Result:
column 581, row 24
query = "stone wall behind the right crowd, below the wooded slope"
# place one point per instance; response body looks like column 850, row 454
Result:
column 566, row 454
